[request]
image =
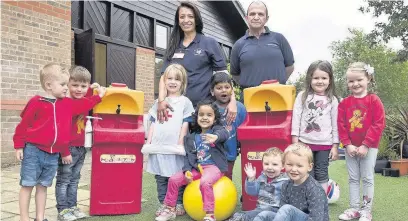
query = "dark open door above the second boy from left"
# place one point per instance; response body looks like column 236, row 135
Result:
column 85, row 50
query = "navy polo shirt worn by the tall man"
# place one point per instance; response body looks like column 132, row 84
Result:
column 257, row 60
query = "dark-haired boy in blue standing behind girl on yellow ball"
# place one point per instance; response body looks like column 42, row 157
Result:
column 221, row 90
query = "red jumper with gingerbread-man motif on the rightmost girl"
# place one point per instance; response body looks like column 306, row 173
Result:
column 361, row 121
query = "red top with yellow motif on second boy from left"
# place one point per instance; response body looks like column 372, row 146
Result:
column 78, row 126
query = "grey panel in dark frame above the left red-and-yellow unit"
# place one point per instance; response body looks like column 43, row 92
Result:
column 121, row 65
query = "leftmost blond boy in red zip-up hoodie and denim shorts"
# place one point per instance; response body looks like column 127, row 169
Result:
column 44, row 133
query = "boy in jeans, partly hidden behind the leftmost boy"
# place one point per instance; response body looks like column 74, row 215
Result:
column 68, row 175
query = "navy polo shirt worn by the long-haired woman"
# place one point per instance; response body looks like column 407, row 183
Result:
column 201, row 58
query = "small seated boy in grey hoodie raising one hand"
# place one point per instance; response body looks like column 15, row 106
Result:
column 267, row 187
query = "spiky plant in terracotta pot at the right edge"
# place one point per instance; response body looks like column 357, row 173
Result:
column 398, row 129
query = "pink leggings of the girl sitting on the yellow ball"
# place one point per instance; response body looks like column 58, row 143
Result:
column 211, row 174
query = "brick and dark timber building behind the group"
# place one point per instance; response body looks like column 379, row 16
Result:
column 118, row 41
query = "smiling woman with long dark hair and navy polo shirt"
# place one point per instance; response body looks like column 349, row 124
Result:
column 200, row 55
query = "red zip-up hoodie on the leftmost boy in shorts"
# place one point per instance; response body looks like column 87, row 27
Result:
column 46, row 122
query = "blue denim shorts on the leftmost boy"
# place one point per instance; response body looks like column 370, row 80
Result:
column 38, row 167
